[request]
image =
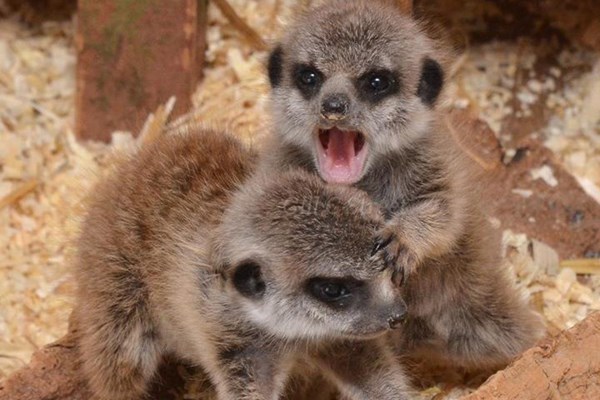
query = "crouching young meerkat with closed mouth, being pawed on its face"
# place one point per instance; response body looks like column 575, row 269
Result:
column 183, row 252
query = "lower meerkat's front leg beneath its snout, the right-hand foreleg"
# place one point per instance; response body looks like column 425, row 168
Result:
column 365, row 370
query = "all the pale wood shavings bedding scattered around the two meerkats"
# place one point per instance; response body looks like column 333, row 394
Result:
column 45, row 173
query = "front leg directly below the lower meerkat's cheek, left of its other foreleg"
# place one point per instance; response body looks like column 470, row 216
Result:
column 248, row 372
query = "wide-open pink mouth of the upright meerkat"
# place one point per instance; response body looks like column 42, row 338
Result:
column 341, row 155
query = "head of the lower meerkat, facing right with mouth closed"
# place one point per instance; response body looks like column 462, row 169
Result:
column 298, row 259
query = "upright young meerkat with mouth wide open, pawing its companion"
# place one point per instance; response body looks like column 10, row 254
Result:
column 354, row 96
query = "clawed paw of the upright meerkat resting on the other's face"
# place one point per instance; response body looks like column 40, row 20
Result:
column 396, row 253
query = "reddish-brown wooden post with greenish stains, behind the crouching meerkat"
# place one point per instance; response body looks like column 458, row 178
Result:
column 133, row 55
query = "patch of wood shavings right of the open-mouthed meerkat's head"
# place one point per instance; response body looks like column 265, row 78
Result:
column 522, row 79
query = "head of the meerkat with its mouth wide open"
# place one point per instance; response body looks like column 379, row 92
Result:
column 353, row 80
